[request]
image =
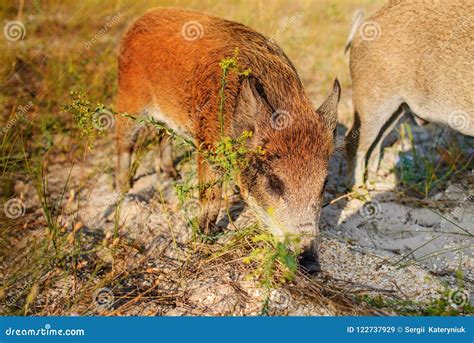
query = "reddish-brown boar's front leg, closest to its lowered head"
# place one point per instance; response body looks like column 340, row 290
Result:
column 210, row 194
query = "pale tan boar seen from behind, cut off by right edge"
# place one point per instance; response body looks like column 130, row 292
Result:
column 410, row 57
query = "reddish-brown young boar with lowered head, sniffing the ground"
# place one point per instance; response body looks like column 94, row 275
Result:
column 169, row 69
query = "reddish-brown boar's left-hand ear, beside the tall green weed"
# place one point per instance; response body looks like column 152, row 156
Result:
column 251, row 106
